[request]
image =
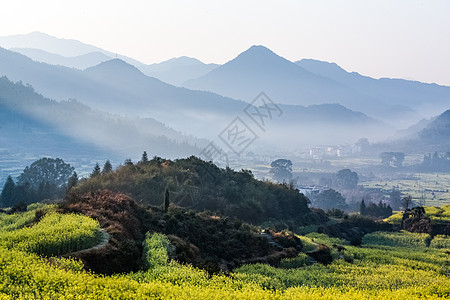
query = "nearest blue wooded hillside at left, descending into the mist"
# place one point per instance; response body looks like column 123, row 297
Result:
column 33, row 126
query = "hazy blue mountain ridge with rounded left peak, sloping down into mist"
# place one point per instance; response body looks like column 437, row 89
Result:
column 118, row 87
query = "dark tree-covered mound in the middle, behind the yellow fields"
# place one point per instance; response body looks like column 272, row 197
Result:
column 199, row 185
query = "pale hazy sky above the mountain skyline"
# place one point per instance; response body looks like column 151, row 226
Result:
column 391, row 38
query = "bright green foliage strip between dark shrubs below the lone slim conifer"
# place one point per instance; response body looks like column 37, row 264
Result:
column 156, row 250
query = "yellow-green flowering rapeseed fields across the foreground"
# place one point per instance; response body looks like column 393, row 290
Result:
column 371, row 271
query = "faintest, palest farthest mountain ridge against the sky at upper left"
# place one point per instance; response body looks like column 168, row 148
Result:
column 51, row 44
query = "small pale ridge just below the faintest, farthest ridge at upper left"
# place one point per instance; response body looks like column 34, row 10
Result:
column 79, row 62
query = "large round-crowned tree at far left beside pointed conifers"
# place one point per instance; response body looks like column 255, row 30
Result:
column 52, row 170
